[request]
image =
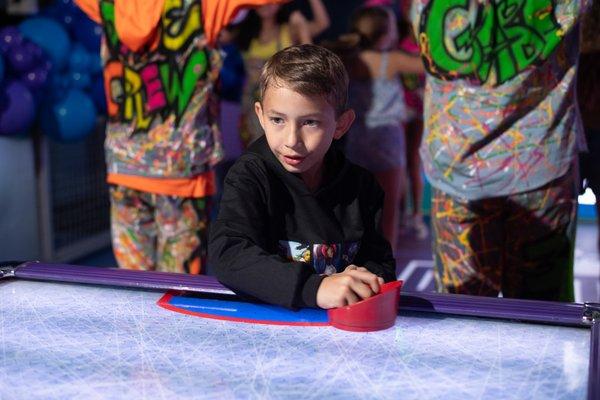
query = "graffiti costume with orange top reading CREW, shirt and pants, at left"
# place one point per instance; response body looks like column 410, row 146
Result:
column 161, row 138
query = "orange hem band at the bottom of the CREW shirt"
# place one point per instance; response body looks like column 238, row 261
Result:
column 199, row 186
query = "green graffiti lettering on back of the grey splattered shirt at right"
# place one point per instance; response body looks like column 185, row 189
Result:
column 468, row 39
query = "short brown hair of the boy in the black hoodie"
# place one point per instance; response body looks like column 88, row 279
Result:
column 309, row 70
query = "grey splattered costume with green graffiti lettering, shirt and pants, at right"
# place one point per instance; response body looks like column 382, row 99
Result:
column 500, row 120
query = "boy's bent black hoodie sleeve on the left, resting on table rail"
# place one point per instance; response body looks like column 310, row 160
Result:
column 238, row 248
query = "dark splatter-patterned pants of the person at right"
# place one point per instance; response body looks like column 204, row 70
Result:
column 521, row 245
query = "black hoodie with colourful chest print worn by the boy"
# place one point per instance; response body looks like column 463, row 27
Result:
column 274, row 239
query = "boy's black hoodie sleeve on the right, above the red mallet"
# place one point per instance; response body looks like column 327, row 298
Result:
column 375, row 253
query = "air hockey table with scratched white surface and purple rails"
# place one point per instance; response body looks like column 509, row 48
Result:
column 87, row 336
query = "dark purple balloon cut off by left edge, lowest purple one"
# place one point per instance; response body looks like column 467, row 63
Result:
column 17, row 109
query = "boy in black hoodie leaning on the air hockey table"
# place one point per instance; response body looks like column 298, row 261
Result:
column 298, row 224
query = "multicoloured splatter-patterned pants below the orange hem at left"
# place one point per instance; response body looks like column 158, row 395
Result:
column 159, row 232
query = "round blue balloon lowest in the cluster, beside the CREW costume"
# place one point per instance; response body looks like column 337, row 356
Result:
column 71, row 118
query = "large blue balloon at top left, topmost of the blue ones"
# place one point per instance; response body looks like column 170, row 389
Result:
column 50, row 36
